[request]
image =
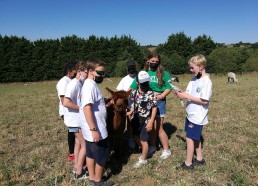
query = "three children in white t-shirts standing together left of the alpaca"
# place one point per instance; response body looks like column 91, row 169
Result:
column 82, row 106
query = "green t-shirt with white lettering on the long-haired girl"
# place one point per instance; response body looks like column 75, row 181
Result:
column 154, row 82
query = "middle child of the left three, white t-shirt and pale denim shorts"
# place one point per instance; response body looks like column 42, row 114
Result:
column 72, row 102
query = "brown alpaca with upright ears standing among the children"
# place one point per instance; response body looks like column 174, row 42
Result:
column 116, row 119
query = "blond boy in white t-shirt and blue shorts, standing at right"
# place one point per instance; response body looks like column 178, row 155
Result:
column 198, row 94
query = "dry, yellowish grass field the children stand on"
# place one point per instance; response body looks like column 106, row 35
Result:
column 33, row 147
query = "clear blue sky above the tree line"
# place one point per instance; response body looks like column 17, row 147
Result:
column 146, row 21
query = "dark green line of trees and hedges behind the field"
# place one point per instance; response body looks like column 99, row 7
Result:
column 22, row 60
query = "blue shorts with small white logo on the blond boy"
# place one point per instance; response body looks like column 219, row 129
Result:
column 192, row 130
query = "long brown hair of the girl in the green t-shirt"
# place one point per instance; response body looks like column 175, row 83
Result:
column 160, row 69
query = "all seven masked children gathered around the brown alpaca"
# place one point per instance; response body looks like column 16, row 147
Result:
column 83, row 109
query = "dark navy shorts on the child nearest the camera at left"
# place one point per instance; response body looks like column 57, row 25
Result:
column 99, row 151
